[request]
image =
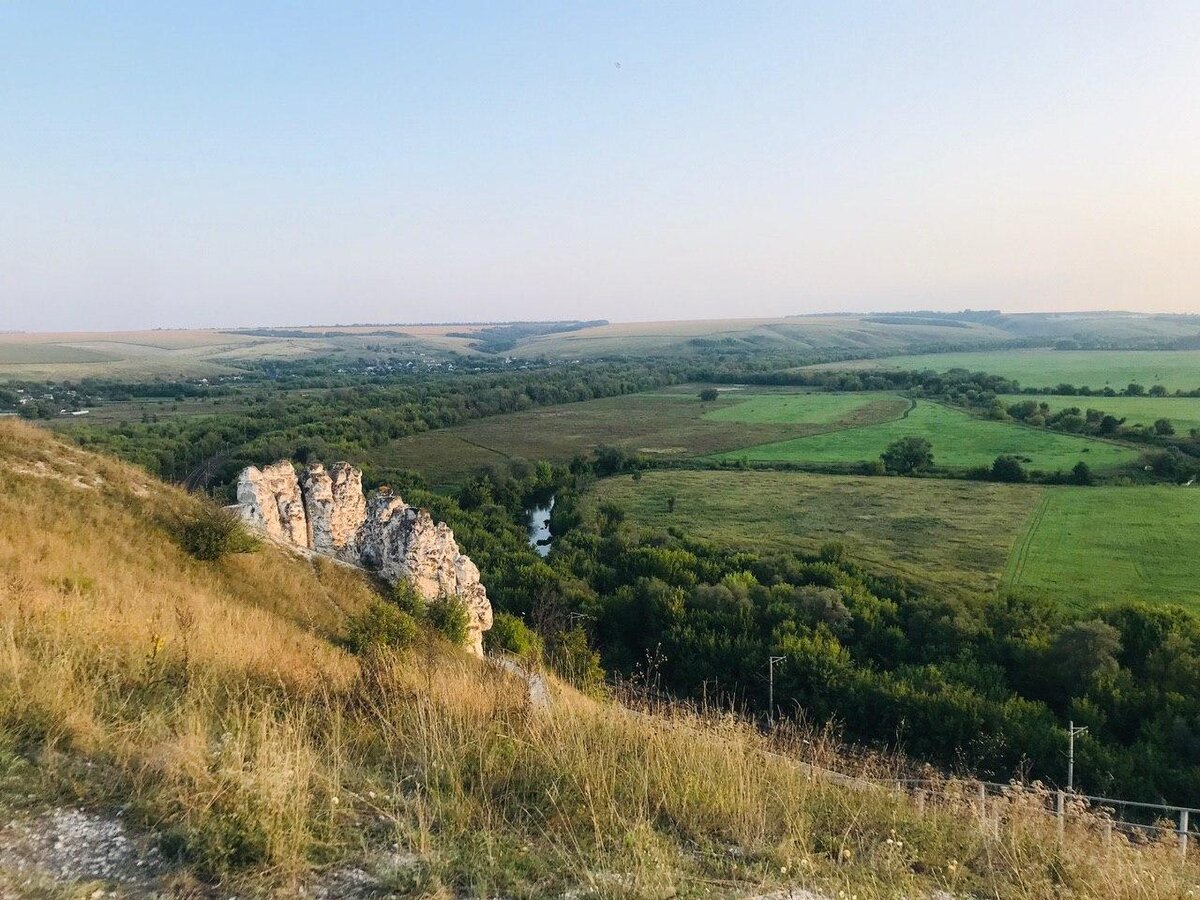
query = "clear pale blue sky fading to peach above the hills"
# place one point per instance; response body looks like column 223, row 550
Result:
column 227, row 165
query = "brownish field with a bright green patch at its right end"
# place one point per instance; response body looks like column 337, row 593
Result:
column 665, row 424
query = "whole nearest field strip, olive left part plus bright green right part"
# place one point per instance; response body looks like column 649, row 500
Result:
column 1078, row 547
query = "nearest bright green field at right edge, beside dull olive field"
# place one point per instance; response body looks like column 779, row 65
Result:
column 1090, row 547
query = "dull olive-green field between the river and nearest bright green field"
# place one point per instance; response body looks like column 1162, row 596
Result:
column 955, row 536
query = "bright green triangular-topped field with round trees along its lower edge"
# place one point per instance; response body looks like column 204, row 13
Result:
column 959, row 440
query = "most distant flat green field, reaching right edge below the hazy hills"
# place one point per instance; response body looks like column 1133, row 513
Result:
column 1047, row 369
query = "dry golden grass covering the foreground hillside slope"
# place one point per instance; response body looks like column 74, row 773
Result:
column 209, row 700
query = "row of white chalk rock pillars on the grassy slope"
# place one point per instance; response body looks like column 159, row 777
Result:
column 327, row 513
